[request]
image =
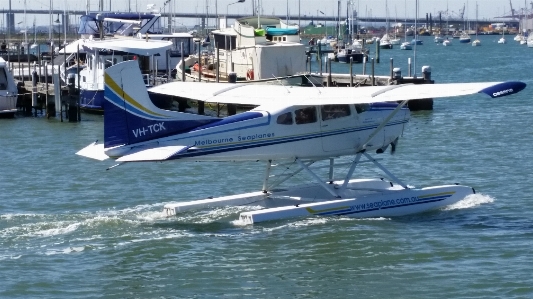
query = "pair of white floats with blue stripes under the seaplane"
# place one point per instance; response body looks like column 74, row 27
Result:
column 363, row 198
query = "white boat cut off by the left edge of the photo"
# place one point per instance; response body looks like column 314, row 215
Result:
column 8, row 91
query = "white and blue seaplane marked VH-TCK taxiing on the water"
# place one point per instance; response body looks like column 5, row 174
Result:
column 309, row 128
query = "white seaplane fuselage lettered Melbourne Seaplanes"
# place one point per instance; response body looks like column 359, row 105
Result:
column 272, row 133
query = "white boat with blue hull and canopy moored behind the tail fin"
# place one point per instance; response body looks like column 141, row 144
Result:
column 123, row 35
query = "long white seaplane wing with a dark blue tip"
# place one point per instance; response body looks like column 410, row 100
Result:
column 247, row 94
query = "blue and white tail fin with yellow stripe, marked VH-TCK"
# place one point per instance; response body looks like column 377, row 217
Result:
column 130, row 116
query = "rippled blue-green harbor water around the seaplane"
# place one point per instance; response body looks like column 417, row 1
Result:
column 71, row 229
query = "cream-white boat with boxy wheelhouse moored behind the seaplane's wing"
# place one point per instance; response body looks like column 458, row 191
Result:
column 249, row 50
